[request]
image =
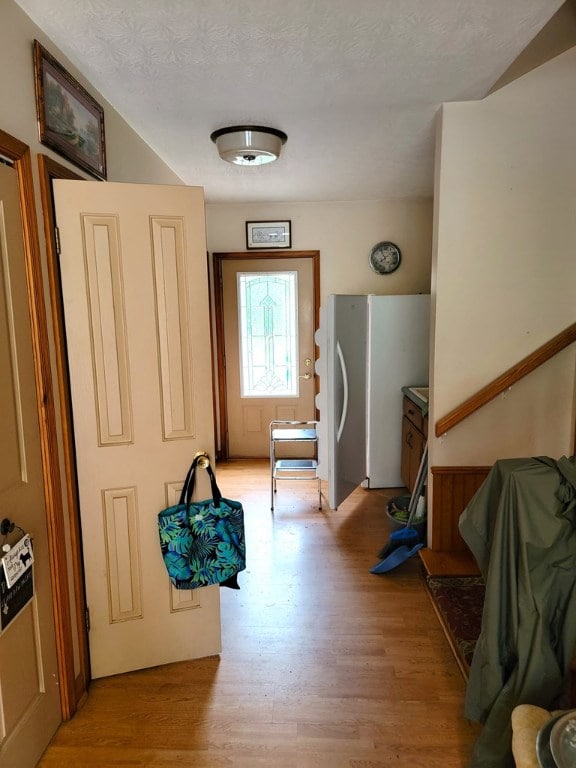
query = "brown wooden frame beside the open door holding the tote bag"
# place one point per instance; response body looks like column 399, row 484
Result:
column 73, row 686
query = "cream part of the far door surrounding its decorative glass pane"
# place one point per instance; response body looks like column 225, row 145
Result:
column 249, row 417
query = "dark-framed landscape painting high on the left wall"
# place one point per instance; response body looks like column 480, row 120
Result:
column 70, row 121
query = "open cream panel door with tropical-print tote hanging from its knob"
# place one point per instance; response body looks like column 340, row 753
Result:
column 135, row 292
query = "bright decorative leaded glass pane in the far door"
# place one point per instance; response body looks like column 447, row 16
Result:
column 268, row 308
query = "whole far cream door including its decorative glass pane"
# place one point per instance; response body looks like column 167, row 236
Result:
column 268, row 308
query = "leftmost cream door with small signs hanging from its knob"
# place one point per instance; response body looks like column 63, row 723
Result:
column 29, row 696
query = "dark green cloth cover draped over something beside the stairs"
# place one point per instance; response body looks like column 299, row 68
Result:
column 521, row 528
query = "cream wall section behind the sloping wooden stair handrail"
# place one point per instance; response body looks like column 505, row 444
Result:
column 503, row 273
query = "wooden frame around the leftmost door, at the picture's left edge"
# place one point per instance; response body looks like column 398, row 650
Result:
column 19, row 154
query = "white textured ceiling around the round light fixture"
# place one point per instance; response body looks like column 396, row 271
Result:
column 355, row 84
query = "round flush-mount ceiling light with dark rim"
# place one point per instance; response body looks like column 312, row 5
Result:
column 248, row 144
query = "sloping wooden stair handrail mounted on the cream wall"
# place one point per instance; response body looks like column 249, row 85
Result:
column 506, row 380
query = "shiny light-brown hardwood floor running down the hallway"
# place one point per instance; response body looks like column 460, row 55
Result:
column 324, row 665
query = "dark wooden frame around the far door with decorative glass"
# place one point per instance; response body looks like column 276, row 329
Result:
column 220, row 373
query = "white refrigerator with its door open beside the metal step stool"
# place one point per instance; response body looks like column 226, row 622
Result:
column 370, row 347
